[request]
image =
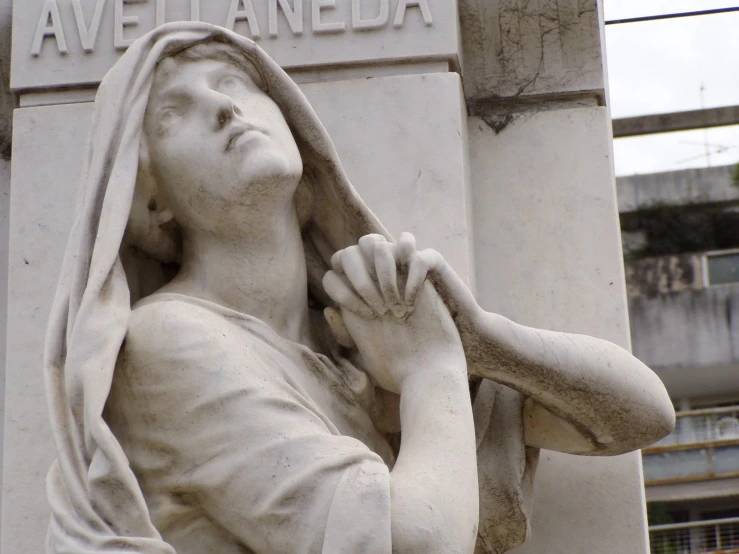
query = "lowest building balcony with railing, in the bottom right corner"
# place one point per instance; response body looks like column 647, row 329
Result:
column 719, row 536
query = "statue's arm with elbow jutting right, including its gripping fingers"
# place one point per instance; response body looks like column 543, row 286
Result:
column 585, row 395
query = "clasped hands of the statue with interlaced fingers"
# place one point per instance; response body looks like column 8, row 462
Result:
column 398, row 334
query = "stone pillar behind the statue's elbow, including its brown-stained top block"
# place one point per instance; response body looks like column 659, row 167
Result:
column 547, row 242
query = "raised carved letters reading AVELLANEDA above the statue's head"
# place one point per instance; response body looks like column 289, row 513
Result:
column 366, row 15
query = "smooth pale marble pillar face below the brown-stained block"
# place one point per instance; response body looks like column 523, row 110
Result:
column 548, row 254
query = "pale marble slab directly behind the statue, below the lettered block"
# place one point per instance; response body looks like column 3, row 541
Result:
column 59, row 132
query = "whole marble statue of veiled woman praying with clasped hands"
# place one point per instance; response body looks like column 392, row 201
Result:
column 240, row 358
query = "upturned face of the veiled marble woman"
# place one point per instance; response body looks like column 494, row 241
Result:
column 217, row 142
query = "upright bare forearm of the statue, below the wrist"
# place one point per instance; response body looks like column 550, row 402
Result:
column 434, row 481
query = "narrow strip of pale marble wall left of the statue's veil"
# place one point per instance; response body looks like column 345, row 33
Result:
column 42, row 208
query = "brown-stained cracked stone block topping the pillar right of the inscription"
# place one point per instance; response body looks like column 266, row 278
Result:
column 519, row 49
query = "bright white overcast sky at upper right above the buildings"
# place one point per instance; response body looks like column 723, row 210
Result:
column 658, row 67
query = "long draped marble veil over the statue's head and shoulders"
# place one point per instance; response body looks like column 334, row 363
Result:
column 97, row 505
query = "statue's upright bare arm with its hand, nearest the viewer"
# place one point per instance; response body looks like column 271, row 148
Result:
column 433, row 485
